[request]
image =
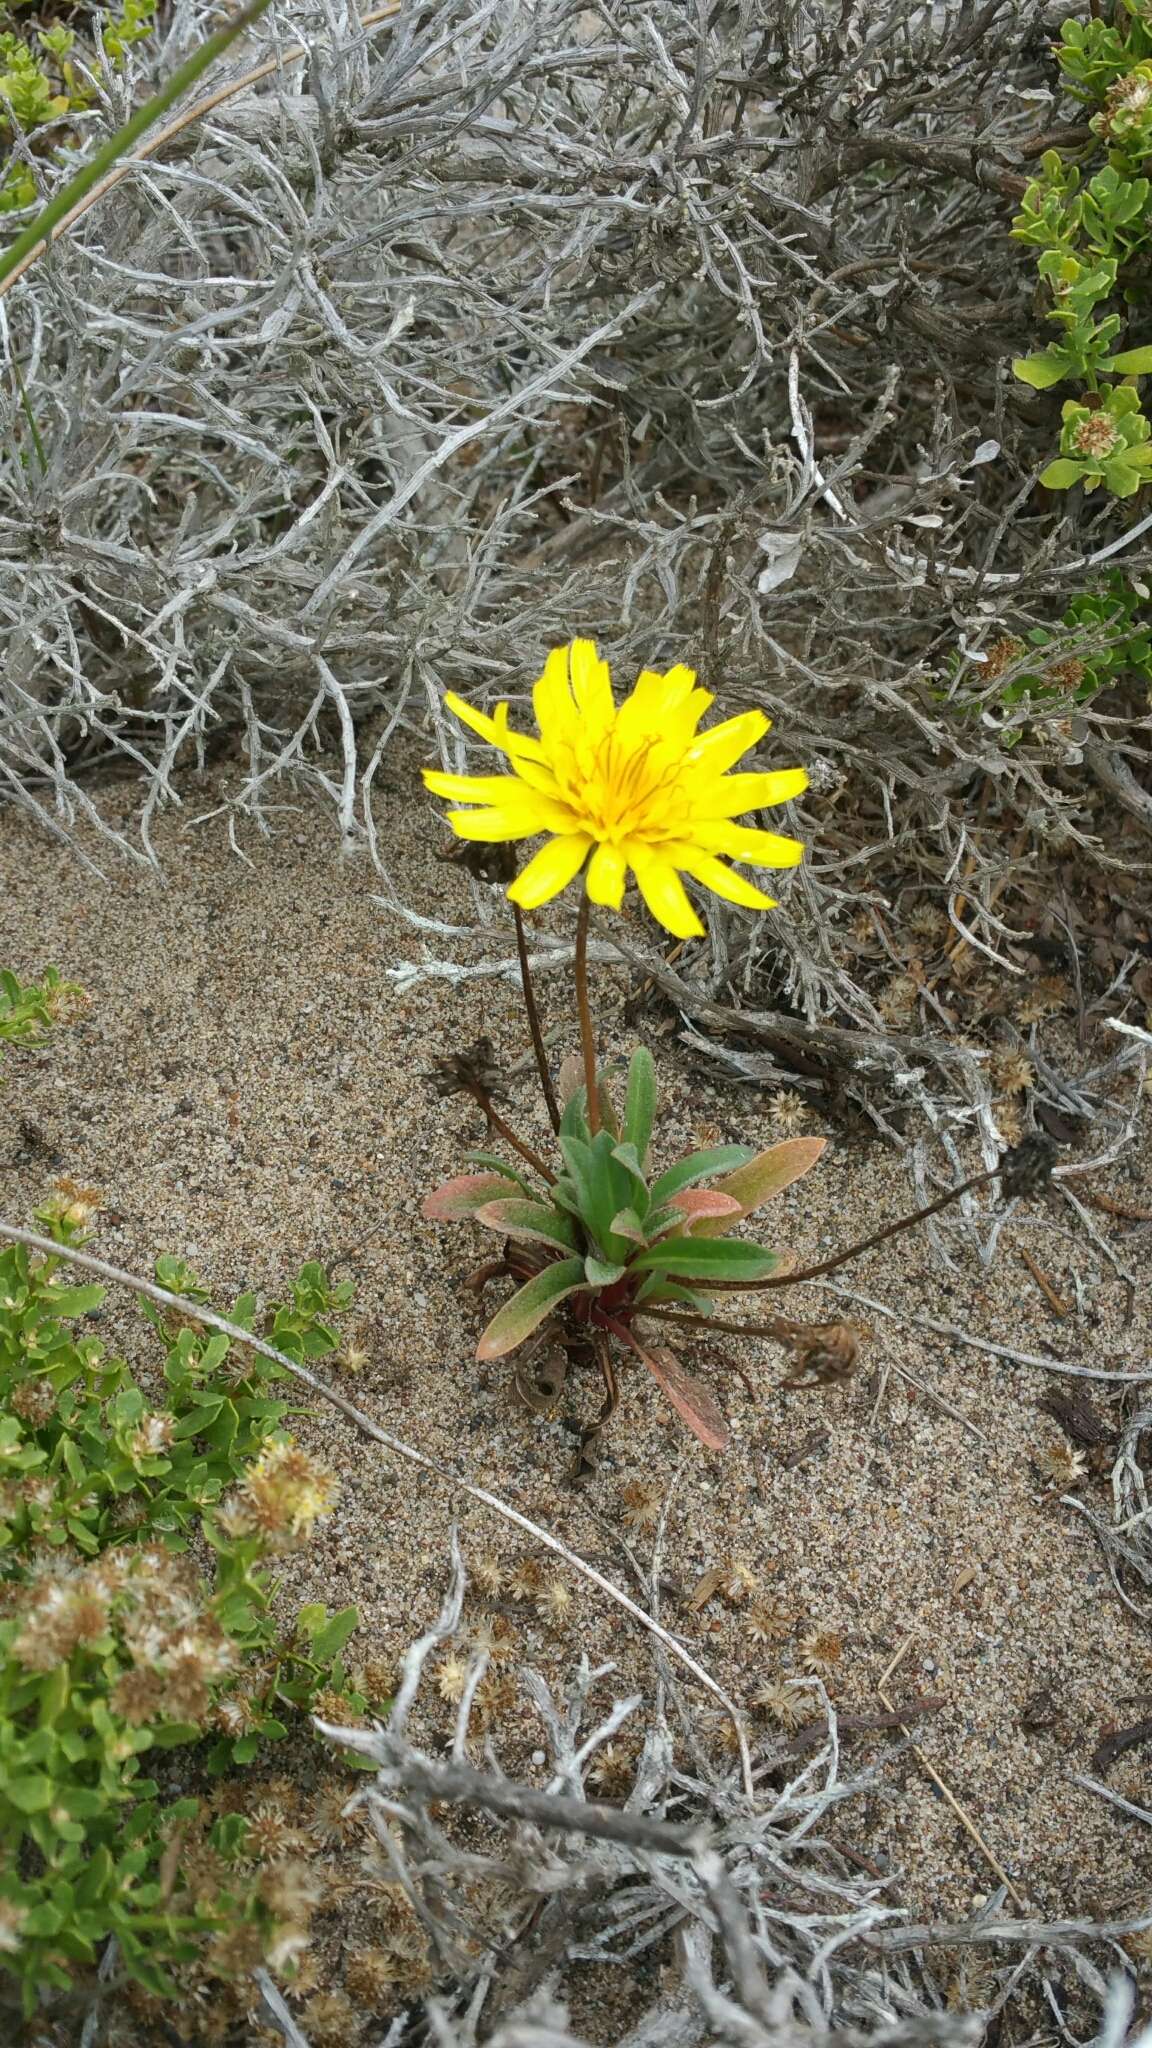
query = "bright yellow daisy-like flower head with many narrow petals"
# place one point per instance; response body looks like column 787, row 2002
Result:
column 630, row 785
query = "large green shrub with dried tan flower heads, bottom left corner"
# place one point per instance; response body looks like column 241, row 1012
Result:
column 136, row 1617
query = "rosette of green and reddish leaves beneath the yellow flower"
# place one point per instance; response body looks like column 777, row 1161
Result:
column 610, row 1240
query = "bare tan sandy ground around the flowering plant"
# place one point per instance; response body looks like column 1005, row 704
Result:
column 247, row 1089
